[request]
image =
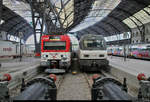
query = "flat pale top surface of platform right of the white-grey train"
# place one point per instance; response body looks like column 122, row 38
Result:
column 132, row 66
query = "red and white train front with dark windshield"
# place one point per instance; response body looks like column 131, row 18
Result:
column 56, row 52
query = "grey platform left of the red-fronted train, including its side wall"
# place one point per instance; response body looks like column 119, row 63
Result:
column 26, row 68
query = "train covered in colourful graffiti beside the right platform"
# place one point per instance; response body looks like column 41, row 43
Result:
column 141, row 51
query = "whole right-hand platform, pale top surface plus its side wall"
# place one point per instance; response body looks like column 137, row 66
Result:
column 129, row 69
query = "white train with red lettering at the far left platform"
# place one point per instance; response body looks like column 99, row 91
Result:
column 11, row 49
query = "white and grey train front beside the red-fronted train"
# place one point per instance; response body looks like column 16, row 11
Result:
column 92, row 53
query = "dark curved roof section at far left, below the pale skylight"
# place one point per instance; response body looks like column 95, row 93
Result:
column 14, row 23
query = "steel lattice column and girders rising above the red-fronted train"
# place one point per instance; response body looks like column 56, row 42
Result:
column 44, row 13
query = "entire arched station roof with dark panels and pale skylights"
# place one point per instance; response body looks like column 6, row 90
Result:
column 106, row 17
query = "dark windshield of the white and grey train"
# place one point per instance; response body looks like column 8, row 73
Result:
column 94, row 44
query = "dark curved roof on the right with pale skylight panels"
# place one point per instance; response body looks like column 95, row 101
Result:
column 128, row 14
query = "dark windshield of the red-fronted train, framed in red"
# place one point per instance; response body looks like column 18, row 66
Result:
column 55, row 45
